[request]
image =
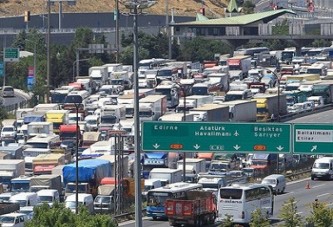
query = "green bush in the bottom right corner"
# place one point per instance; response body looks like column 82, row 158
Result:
column 321, row 215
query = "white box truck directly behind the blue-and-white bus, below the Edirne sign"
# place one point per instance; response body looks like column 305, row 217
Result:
column 166, row 175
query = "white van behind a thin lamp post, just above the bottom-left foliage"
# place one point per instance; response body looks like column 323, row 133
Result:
column 84, row 199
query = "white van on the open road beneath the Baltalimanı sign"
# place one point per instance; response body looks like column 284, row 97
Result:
column 322, row 168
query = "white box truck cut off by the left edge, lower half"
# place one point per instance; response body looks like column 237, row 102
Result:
column 9, row 169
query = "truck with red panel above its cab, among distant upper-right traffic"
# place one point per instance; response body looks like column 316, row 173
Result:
column 239, row 66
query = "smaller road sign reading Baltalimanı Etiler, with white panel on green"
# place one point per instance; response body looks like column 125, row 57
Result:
column 313, row 139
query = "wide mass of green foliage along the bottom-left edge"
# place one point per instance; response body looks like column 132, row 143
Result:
column 59, row 216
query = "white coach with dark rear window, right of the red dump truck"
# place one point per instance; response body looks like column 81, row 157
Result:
column 241, row 200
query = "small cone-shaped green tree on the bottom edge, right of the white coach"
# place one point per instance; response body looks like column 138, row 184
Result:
column 289, row 214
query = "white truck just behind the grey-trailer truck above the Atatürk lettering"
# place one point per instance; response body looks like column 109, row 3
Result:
column 193, row 101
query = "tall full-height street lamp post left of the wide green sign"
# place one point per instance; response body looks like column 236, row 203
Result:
column 136, row 7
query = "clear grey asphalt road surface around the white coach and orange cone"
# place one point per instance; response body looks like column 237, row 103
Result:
column 322, row 190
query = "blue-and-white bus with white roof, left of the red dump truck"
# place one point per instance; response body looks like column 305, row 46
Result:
column 158, row 196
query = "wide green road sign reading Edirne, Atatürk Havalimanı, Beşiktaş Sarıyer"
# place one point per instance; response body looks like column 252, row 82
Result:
column 215, row 137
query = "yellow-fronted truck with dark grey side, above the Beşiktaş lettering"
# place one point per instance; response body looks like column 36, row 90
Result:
column 268, row 107
